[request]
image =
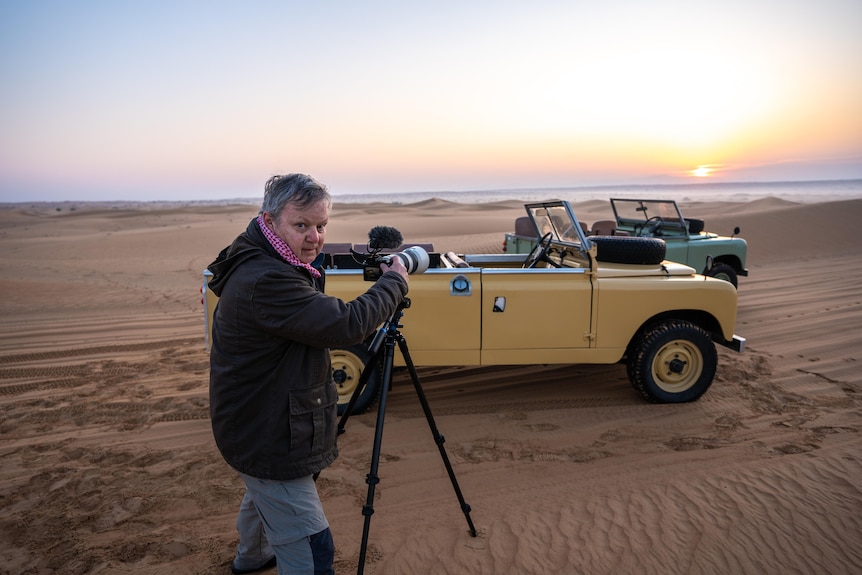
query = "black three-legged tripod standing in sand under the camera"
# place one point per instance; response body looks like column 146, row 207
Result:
column 388, row 335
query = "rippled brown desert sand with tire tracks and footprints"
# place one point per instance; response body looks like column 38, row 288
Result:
column 109, row 466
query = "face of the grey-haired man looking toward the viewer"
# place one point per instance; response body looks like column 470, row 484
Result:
column 302, row 229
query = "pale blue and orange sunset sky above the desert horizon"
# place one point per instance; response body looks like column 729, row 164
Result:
column 152, row 100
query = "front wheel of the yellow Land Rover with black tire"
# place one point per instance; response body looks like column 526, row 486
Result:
column 672, row 362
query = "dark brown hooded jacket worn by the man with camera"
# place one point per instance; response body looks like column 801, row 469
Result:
column 272, row 397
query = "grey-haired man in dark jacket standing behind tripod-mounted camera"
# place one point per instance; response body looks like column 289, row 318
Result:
column 273, row 403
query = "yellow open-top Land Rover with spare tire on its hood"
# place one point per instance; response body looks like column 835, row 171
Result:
column 573, row 299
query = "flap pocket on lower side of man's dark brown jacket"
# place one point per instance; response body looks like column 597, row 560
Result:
column 313, row 416
